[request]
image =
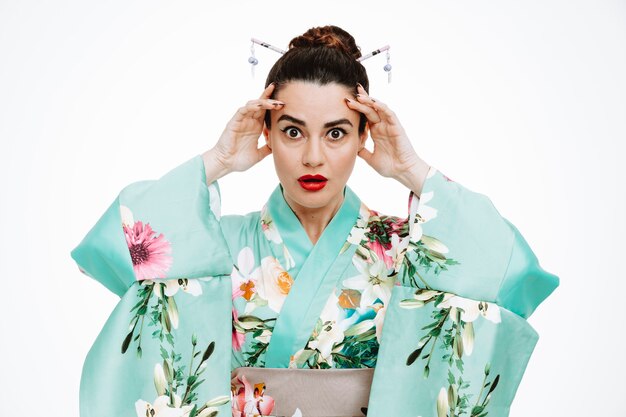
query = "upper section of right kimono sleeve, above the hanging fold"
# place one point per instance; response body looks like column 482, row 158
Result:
column 467, row 247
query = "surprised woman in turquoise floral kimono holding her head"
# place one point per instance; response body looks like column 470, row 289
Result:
column 290, row 309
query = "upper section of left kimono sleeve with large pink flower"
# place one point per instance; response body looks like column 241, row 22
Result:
column 165, row 228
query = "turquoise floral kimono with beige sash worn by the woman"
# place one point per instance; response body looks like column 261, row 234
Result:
column 430, row 309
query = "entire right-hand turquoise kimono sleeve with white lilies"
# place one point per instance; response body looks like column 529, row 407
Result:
column 455, row 338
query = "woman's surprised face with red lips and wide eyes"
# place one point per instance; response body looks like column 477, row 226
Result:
column 314, row 140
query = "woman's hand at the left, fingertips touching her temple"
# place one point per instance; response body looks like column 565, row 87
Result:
column 237, row 148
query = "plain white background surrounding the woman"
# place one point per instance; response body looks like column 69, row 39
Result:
column 522, row 101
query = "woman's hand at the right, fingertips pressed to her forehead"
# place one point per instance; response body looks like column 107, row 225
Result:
column 393, row 155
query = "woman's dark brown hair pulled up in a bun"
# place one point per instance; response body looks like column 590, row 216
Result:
column 323, row 55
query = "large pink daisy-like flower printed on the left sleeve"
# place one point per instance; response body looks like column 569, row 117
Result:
column 150, row 253
